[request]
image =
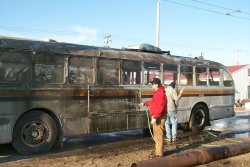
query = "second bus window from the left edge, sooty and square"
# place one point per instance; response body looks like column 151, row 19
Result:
column 49, row 68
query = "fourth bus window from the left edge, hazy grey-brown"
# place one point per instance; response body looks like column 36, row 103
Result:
column 107, row 71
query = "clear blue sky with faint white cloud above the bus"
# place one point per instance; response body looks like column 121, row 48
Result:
column 219, row 30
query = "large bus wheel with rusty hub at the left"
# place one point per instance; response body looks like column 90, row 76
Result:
column 34, row 133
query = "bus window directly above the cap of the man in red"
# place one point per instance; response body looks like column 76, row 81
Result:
column 151, row 70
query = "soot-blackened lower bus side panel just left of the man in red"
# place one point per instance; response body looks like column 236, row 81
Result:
column 115, row 110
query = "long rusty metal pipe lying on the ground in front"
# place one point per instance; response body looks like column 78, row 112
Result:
column 197, row 157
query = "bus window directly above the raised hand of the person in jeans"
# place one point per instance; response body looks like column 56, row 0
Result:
column 186, row 75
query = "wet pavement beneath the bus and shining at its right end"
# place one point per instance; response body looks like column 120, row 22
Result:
column 237, row 126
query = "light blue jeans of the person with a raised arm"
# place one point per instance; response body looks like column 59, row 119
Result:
column 171, row 119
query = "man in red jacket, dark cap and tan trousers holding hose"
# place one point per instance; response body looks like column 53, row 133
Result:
column 158, row 111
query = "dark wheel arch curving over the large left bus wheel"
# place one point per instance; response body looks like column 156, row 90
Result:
column 59, row 140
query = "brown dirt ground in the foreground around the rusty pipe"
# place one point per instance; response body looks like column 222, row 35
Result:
column 124, row 153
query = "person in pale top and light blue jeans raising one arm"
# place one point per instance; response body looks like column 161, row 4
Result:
column 172, row 111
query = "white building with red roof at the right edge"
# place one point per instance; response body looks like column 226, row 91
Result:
column 241, row 76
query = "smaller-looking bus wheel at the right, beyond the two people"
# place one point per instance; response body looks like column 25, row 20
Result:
column 198, row 118
